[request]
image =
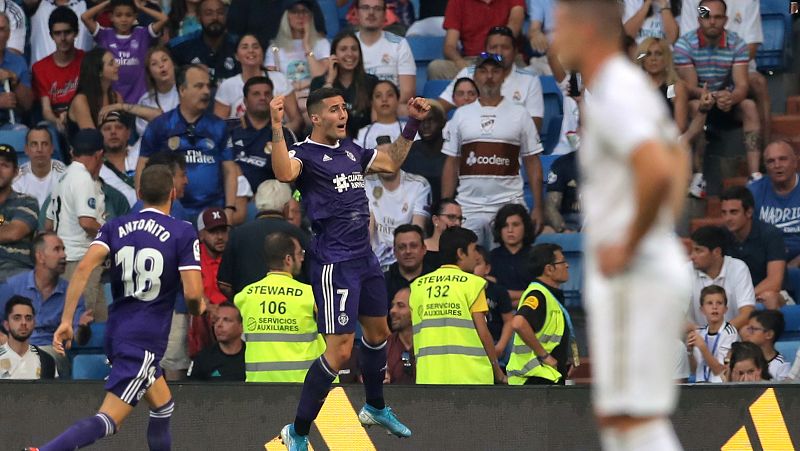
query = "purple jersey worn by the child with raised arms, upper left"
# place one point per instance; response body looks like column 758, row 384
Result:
column 130, row 52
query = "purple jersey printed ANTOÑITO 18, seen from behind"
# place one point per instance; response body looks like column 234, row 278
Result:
column 148, row 250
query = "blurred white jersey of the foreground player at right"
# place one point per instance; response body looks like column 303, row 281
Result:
column 625, row 112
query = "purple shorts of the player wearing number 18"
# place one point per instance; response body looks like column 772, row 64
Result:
column 133, row 371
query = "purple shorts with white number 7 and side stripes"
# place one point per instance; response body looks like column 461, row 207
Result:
column 343, row 291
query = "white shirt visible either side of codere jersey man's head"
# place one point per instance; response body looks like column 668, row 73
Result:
column 521, row 87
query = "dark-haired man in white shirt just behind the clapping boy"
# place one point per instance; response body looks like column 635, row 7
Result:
column 710, row 266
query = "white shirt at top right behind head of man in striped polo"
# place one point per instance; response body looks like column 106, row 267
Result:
column 744, row 19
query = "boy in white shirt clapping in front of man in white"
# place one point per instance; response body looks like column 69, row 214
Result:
column 711, row 343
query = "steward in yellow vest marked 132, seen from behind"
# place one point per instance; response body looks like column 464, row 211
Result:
column 452, row 343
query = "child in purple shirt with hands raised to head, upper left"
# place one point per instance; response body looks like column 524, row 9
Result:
column 127, row 42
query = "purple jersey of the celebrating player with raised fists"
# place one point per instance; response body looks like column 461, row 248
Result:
column 331, row 183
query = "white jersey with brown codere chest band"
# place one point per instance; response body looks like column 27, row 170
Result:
column 490, row 142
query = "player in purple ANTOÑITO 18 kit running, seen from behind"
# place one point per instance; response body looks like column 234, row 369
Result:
column 151, row 253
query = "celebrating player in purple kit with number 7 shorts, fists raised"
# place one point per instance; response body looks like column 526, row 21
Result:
column 328, row 169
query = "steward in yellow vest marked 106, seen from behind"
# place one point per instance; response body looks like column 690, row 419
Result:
column 280, row 325
